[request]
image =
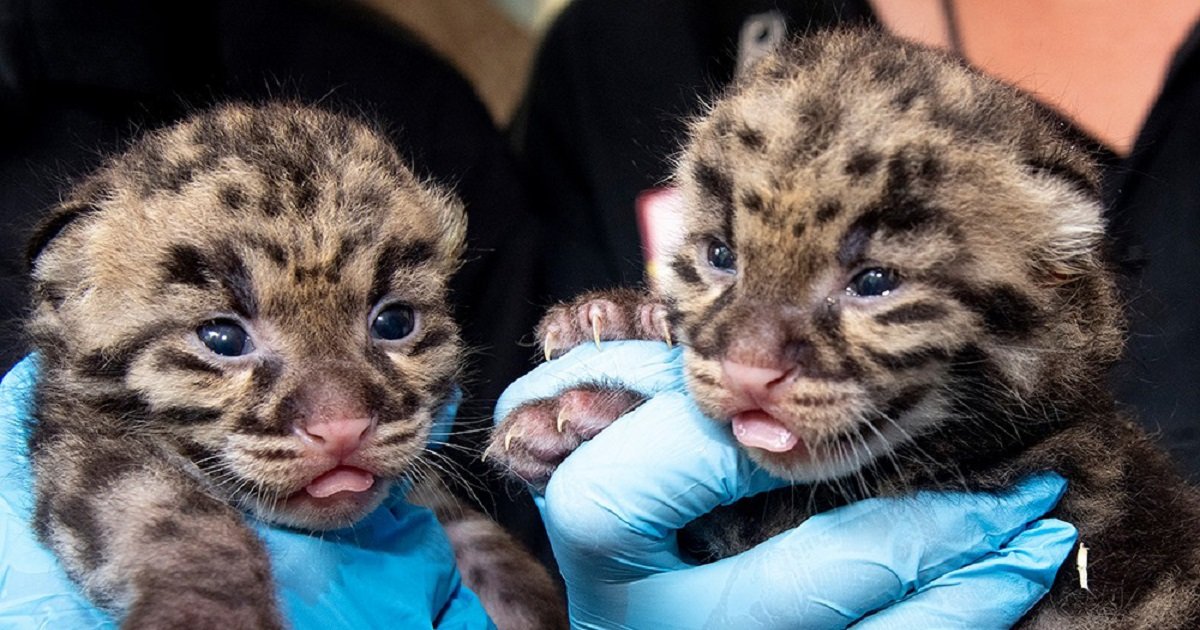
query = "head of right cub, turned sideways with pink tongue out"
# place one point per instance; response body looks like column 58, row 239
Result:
column 883, row 247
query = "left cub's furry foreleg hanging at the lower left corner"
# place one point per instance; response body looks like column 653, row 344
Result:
column 147, row 541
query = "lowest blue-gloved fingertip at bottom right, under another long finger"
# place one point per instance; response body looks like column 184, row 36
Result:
column 994, row 592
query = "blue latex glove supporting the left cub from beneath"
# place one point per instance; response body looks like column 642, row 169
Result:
column 395, row 569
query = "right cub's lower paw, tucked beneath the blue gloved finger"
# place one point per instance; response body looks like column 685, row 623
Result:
column 535, row 439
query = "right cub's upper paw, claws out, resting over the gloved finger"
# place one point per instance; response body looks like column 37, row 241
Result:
column 603, row 316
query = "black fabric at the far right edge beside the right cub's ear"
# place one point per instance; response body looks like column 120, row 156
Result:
column 1155, row 203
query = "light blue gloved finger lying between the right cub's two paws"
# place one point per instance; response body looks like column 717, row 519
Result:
column 644, row 367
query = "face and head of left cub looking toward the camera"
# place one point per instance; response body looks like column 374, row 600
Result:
column 265, row 292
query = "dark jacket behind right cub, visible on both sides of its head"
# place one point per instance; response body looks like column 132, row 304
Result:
column 616, row 81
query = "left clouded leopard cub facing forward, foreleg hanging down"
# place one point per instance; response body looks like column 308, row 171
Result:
column 245, row 314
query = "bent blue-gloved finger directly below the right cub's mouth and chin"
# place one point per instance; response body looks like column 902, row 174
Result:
column 626, row 494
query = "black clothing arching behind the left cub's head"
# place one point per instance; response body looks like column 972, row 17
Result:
column 80, row 79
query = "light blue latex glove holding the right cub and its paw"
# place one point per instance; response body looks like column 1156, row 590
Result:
column 613, row 509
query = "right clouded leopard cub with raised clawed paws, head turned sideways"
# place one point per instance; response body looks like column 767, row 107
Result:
column 891, row 278
